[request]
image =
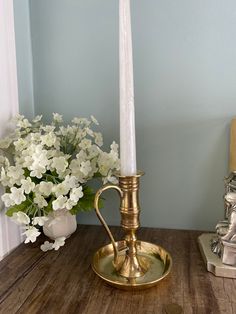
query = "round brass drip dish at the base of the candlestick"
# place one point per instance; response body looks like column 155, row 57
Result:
column 157, row 260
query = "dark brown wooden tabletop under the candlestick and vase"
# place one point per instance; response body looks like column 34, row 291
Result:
column 63, row 282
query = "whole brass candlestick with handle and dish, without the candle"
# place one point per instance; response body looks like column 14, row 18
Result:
column 129, row 263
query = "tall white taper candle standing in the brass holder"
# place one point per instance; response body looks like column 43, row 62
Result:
column 127, row 114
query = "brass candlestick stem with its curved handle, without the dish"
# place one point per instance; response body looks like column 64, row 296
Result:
column 129, row 265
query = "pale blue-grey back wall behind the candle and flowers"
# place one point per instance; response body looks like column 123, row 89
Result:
column 185, row 95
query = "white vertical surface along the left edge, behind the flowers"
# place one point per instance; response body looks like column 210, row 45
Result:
column 10, row 235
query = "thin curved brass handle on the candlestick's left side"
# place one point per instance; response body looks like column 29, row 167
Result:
column 100, row 217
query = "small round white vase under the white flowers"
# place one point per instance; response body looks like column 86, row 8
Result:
column 61, row 223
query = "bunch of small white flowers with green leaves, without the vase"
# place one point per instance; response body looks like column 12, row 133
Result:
column 47, row 169
